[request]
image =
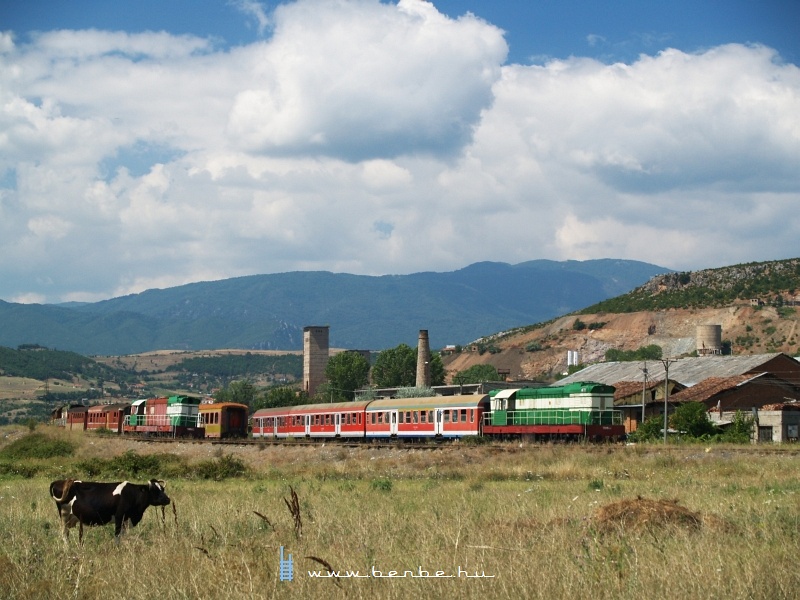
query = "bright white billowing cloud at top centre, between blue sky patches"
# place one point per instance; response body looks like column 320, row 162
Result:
column 361, row 79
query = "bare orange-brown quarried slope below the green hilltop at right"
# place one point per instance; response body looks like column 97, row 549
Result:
column 541, row 351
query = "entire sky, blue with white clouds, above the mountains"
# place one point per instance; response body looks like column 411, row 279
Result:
column 151, row 143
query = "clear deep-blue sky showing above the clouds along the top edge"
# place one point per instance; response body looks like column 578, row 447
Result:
column 618, row 29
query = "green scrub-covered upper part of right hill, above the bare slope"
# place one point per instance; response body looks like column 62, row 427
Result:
column 773, row 282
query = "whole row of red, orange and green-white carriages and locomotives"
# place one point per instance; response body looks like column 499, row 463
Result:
column 574, row 412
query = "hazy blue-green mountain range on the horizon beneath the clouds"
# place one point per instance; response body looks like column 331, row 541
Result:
column 264, row 312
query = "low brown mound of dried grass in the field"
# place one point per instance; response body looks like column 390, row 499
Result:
column 641, row 513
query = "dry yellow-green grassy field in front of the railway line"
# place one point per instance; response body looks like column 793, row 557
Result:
column 536, row 522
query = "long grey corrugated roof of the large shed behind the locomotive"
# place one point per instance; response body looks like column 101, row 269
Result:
column 688, row 371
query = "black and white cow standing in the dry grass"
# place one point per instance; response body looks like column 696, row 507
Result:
column 94, row 503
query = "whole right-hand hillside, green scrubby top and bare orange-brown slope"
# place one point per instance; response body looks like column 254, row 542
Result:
column 754, row 304
